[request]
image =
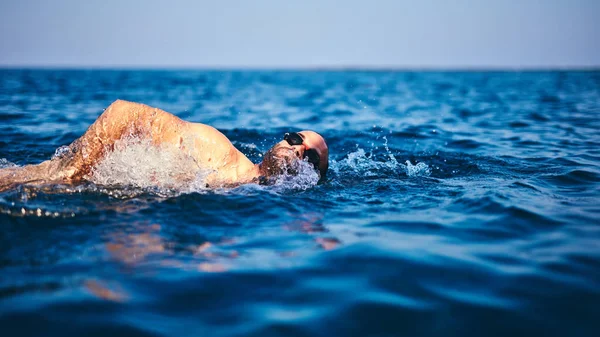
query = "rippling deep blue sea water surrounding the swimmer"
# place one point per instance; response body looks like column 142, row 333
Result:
column 457, row 204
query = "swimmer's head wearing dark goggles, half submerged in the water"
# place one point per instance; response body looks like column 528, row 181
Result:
column 283, row 157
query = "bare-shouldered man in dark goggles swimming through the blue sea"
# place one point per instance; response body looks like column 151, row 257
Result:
column 208, row 149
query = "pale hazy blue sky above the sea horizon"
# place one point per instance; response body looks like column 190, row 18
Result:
column 308, row 33
